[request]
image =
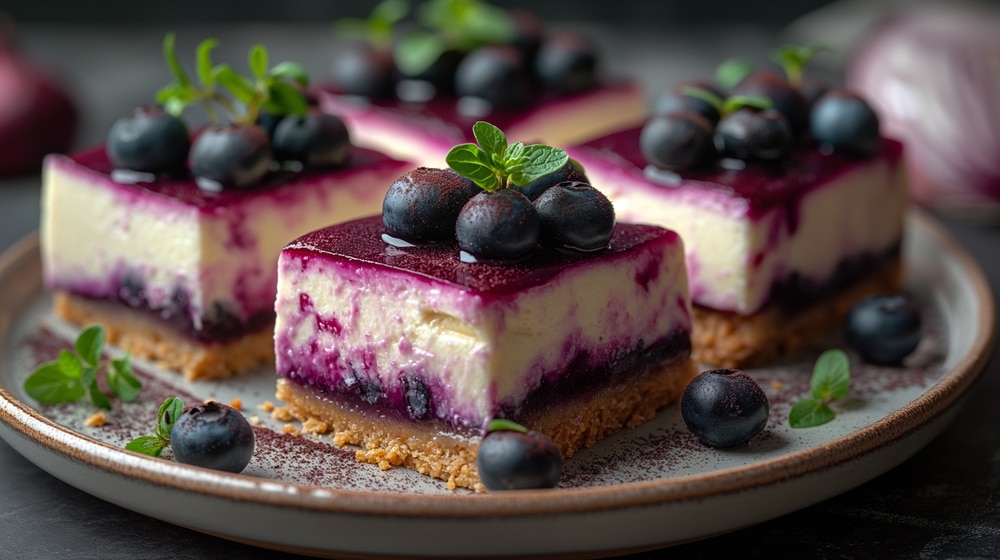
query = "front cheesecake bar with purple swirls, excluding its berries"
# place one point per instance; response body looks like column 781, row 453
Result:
column 409, row 352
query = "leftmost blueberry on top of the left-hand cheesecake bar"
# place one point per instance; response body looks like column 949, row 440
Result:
column 148, row 139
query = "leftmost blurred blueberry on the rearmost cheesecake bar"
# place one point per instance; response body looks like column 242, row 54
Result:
column 361, row 68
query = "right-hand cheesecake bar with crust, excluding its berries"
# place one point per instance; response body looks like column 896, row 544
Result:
column 776, row 252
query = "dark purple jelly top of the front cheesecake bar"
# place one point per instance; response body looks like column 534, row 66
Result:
column 361, row 240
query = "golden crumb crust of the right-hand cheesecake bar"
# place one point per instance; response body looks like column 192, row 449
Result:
column 729, row 340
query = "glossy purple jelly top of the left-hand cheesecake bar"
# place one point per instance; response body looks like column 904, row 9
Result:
column 182, row 187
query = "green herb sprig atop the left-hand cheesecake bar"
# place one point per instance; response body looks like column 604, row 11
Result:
column 276, row 89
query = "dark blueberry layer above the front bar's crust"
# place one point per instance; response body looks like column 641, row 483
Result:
column 415, row 400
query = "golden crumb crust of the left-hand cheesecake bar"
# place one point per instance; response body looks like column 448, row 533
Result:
column 149, row 339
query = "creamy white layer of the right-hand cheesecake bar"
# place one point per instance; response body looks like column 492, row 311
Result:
column 733, row 258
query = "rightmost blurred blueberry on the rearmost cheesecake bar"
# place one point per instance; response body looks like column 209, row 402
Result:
column 566, row 63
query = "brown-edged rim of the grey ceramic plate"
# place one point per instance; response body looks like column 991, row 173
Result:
column 947, row 392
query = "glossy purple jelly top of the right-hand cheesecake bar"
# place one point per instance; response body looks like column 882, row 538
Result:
column 764, row 186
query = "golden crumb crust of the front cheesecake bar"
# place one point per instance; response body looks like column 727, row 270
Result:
column 573, row 424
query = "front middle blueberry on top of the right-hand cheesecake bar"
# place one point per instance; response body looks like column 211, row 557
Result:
column 751, row 134
